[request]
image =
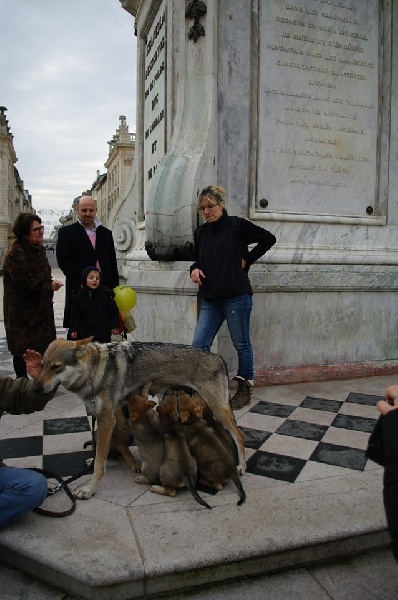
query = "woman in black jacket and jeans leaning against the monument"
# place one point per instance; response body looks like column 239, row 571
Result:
column 221, row 267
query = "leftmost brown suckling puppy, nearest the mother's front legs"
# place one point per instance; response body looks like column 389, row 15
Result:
column 144, row 424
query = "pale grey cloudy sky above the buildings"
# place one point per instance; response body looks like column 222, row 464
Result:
column 67, row 71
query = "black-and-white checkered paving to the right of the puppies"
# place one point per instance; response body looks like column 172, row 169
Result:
column 288, row 442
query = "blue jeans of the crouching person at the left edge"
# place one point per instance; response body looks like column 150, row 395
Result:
column 21, row 491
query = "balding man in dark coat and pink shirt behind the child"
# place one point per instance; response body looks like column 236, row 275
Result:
column 84, row 243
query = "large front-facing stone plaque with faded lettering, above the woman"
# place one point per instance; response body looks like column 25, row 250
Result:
column 318, row 107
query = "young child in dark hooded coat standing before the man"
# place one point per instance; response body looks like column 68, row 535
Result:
column 94, row 311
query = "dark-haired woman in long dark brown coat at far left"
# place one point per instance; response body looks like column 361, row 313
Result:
column 28, row 292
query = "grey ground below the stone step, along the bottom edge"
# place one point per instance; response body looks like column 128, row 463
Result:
column 372, row 576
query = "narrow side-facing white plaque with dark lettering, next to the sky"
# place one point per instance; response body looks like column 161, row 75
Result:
column 155, row 96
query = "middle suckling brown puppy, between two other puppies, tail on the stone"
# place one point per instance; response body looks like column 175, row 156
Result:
column 179, row 467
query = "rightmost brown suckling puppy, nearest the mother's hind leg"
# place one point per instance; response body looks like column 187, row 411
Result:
column 215, row 462
